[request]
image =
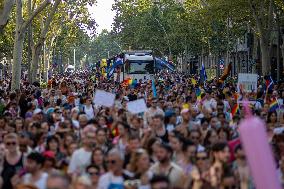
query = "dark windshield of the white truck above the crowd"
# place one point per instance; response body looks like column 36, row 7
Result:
column 141, row 67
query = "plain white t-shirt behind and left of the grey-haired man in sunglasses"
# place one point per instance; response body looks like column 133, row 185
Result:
column 80, row 159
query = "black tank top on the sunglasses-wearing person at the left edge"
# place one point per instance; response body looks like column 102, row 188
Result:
column 9, row 171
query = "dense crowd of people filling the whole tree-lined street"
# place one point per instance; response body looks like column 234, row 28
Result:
column 57, row 137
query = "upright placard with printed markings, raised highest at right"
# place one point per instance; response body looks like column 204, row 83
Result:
column 248, row 82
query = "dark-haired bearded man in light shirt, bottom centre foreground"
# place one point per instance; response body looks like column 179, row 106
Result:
column 166, row 167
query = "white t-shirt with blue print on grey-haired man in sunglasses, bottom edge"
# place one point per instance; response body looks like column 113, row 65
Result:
column 109, row 179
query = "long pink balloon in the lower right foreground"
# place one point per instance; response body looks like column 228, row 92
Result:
column 259, row 154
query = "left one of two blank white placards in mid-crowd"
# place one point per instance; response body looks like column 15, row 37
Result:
column 103, row 98
